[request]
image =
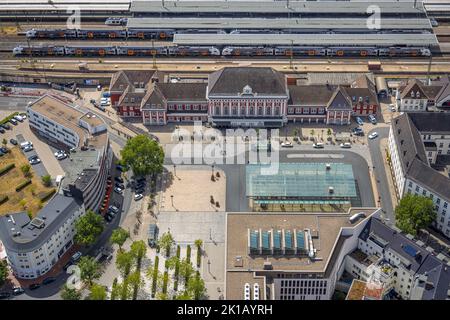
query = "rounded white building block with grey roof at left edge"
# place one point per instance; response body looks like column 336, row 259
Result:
column 34, row 246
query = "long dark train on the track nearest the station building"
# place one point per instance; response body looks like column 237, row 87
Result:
column 192, row 51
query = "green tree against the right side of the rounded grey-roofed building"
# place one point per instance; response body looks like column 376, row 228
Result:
column 88, row 227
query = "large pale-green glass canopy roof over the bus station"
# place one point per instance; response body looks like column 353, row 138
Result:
column 301, row 184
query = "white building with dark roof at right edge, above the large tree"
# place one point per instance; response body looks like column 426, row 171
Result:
column 416, row 142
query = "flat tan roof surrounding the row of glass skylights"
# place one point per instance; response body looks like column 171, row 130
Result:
column 328, row 227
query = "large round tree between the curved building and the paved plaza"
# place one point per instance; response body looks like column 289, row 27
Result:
column 144, row 155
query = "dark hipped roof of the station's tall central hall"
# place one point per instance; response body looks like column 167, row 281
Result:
column 262, row 81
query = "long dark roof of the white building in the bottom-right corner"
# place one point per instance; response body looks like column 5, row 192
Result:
column 422, row 263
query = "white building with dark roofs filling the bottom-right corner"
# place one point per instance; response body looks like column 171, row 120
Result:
column 391, row 260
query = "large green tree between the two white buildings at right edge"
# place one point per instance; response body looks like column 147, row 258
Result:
column 414, row 212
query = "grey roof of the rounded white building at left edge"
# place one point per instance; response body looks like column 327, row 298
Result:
column 54, row 214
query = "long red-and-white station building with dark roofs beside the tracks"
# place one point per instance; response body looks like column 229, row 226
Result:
column 239, row 97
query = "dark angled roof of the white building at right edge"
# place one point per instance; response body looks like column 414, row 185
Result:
column 412, row 152
